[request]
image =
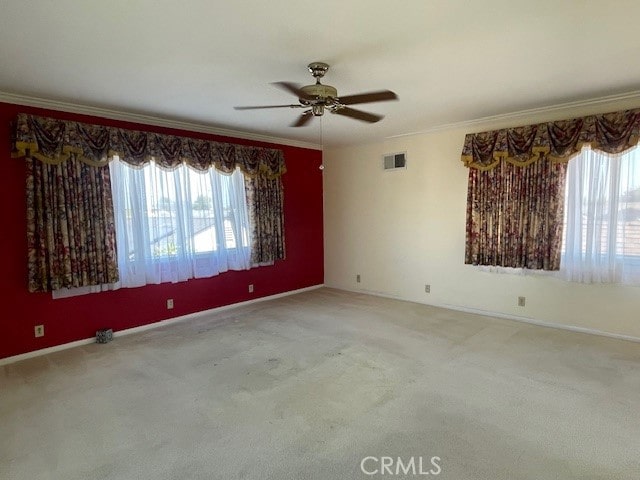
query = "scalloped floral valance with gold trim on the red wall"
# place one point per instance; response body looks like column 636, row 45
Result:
column 54, row 141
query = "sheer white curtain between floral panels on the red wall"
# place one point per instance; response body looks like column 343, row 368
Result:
column 179, row 224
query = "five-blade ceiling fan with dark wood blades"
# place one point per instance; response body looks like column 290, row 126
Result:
column 318, row 97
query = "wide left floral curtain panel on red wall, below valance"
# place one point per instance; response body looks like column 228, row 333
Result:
column 70, row 229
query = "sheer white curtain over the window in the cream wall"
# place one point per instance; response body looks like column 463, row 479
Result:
column 602, row 215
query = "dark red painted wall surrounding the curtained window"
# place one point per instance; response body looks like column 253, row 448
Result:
column 66, row 320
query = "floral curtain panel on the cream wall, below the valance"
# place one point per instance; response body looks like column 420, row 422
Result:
column 514, row 216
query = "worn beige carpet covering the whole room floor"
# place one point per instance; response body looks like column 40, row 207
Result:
column 307, row 386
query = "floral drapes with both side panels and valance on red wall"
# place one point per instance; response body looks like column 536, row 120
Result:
column 70, row 212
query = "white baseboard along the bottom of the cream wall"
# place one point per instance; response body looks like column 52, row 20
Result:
column 486, row 313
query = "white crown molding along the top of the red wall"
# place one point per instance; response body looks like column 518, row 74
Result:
column 30, row 101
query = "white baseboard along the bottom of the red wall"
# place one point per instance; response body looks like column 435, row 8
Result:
column 151, row 326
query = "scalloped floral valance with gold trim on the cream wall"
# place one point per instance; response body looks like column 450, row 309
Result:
column 558, row 141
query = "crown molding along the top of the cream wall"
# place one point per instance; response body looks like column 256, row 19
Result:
column 550, row 110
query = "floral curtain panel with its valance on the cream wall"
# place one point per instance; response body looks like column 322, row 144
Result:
column 515, row 197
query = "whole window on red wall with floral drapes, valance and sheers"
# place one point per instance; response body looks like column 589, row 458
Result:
column 171, row 225
